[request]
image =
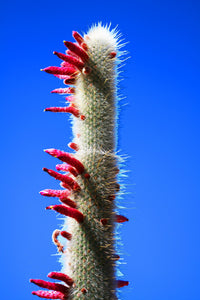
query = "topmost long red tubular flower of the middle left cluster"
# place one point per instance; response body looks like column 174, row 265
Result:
column 68, row 158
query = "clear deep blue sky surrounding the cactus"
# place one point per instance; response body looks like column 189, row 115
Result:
column 159, row 132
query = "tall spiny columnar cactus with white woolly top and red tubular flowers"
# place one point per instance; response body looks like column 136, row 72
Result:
column 89, row 182
